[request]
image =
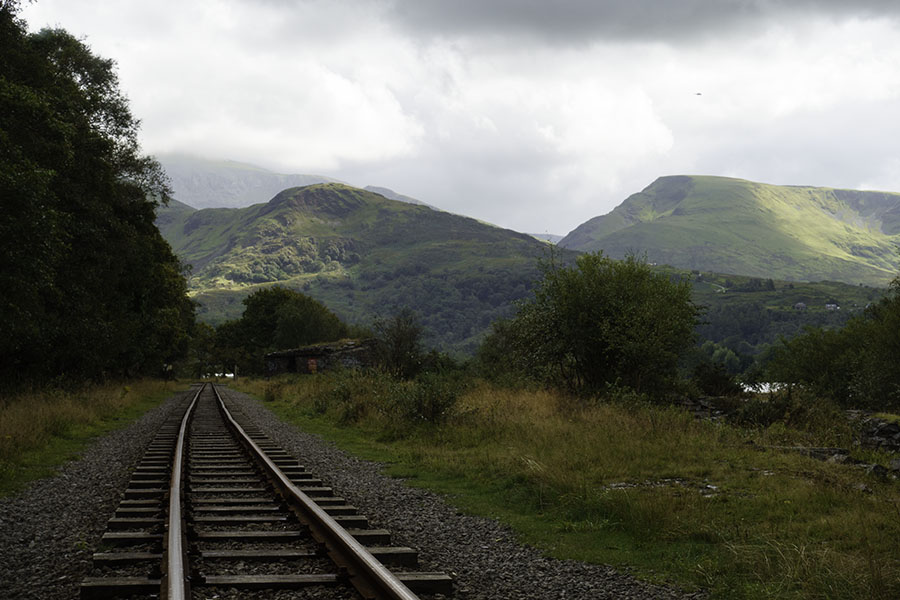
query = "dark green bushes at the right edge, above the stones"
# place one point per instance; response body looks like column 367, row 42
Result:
column 855, row 366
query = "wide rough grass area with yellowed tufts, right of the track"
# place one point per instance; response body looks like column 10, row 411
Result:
column 645, row 488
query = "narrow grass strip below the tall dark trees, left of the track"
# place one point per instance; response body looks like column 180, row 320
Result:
column 41, row 430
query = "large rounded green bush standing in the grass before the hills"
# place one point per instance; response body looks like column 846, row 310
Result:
column 601, row 322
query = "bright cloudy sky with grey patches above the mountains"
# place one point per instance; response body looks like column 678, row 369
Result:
column 532, row 114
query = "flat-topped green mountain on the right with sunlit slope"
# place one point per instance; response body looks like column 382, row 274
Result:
column 736, row 226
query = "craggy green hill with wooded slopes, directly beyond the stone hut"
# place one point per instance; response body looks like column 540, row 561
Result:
column 361, row 254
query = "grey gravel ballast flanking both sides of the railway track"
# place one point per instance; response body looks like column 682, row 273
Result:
column 50, row 530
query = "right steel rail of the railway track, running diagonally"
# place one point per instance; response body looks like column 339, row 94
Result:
column 371, row 578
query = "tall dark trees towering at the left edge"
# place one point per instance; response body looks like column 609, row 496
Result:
column 88, row 287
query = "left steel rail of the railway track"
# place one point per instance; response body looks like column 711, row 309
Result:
column 176, row 585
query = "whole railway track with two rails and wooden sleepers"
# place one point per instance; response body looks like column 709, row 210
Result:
column 216, row 510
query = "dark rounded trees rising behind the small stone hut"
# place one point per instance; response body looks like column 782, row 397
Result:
column 275, row 318
